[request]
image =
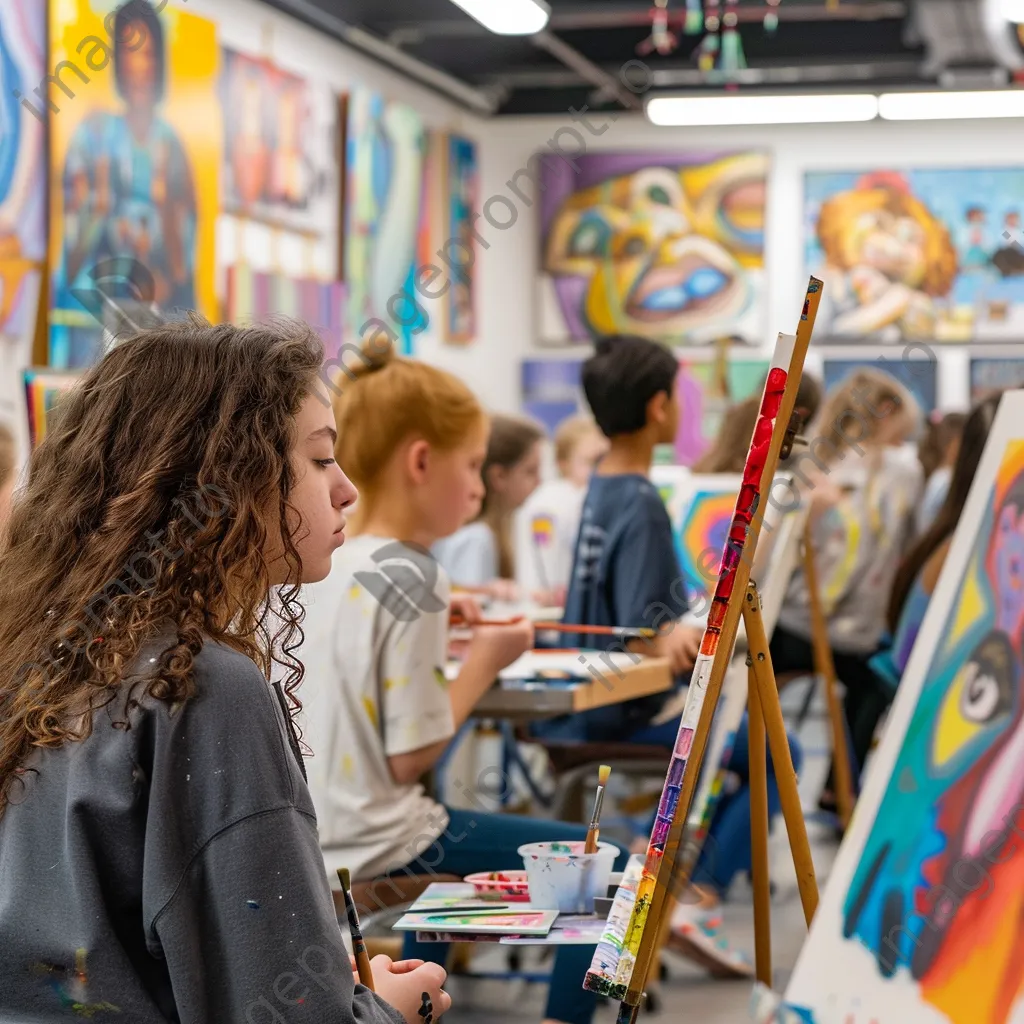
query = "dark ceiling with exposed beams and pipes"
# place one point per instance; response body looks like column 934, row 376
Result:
column 819, row 45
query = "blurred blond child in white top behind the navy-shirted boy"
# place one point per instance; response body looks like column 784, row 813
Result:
column 549, row 522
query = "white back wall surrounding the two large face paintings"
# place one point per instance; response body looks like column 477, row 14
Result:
column 509, row 269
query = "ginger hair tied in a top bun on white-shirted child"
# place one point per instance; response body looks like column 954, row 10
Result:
column 387, row 400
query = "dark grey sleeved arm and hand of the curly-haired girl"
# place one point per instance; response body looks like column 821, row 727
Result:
column 250, row 934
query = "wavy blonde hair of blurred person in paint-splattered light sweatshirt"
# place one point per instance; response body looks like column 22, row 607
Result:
column 859, row 399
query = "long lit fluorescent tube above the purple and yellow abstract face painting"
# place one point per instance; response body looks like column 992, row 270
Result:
column 786, row 110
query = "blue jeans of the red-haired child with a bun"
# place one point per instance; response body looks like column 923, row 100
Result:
column 478, row 842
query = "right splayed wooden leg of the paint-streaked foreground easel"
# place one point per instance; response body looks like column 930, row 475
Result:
column 786, row 776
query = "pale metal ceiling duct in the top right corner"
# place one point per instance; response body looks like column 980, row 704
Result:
column 970, row 44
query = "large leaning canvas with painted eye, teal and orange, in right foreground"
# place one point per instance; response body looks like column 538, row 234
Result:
column 921, row 920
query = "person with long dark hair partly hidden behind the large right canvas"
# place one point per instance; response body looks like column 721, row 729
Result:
column 919, row 573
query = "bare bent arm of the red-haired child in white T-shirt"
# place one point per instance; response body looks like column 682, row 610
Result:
column 492, row 649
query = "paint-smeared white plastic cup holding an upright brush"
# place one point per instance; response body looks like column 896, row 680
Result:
column 564, row 878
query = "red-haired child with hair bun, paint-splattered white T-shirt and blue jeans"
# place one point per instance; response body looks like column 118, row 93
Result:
column 380, row 710
